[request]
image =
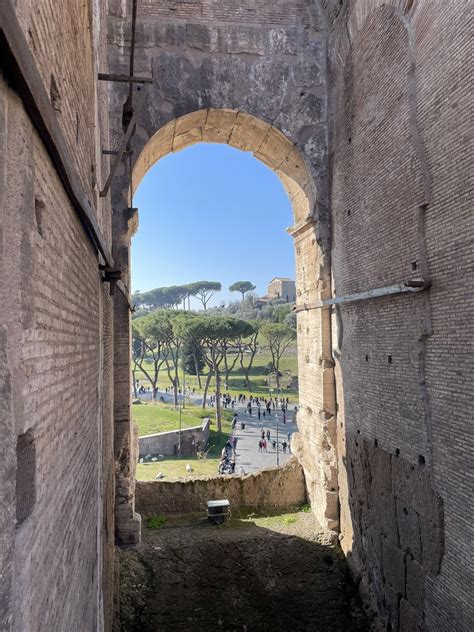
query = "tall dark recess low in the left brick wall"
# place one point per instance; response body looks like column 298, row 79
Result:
column 25, row 475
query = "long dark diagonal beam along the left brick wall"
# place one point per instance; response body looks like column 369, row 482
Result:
column 19, row 68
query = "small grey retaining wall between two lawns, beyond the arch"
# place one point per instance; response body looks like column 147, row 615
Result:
column 166, row 443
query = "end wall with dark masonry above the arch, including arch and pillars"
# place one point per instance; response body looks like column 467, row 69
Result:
column 258, row 85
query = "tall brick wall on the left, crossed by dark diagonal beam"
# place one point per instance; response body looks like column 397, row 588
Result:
column 56, row 547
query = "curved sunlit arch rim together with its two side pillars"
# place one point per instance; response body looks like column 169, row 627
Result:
column 248, row 133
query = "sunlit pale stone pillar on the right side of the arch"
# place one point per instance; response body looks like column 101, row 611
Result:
column 315, row 443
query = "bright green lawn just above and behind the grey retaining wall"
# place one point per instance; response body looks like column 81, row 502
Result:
column 156, row 417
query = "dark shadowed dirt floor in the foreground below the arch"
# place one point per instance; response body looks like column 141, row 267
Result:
column 279, row 574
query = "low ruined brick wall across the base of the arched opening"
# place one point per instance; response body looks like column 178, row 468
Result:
column 272, row 487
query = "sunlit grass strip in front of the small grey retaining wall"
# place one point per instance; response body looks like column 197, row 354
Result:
column 175, row 467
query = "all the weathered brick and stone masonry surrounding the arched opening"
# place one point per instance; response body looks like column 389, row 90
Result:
column 362, row 109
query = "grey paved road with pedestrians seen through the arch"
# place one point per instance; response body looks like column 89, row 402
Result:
column 248, row 457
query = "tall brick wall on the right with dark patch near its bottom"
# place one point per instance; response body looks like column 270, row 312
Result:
column 399, row 111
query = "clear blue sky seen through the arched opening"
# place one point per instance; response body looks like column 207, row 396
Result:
column 211, row 212
